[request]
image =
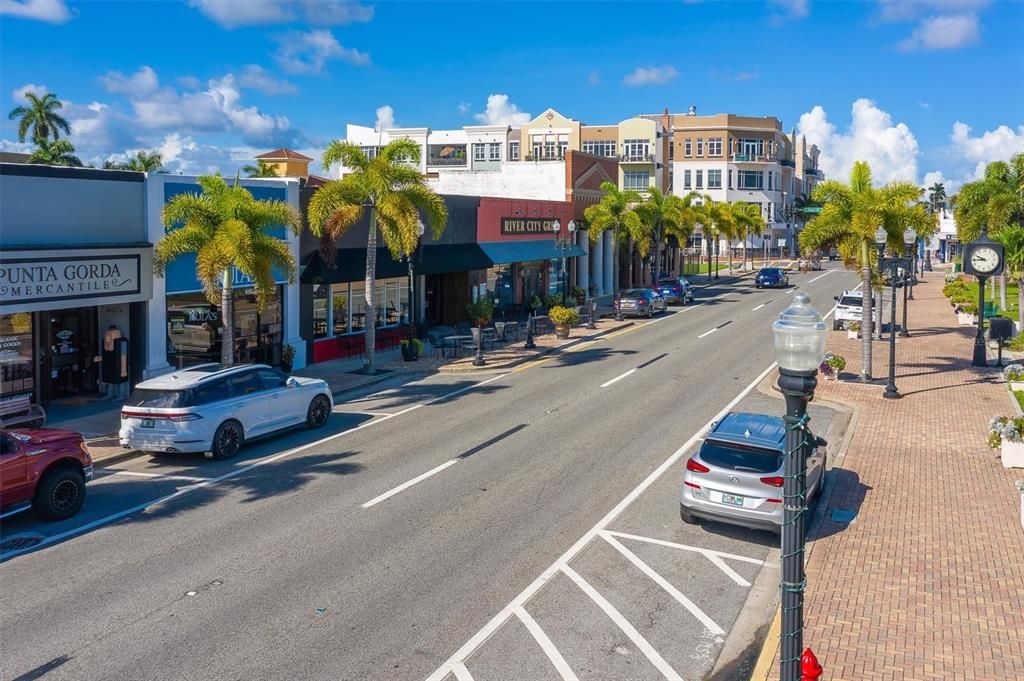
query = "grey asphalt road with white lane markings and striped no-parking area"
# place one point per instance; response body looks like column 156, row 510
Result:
column 489, row 528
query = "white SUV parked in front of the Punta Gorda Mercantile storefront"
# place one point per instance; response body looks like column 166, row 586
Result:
column 216, row 410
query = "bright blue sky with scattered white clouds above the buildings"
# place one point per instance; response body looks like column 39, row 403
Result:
column 916, row 89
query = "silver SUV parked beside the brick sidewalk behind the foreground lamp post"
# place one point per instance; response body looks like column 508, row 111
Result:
column 737, row 476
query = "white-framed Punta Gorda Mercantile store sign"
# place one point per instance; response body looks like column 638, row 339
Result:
column 40, row 280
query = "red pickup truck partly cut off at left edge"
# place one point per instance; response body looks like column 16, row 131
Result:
column 46, row 471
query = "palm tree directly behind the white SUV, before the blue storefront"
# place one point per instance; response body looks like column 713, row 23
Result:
column 228, row 229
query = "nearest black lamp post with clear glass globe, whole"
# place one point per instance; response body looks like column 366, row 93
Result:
column 799, row 336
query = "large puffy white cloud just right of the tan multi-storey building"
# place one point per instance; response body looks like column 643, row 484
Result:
column 890, row 150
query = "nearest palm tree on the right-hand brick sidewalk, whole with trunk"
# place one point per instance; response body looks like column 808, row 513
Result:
column 849, row 218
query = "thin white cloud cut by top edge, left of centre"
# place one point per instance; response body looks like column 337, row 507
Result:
column 233, row 14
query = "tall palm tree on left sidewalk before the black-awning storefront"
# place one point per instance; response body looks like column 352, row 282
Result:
column 394, row 192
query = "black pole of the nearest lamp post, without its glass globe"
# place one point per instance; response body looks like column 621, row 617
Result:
column 798, row 389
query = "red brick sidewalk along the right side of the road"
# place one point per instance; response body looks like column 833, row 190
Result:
column 928, row 582
